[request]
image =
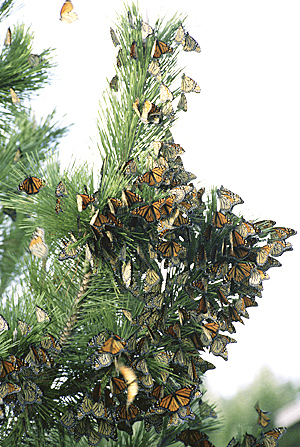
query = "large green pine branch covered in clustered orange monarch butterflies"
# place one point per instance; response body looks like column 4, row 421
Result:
column 131, row 275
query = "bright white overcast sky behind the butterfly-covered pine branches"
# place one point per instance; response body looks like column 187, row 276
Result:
column 242, row 132
